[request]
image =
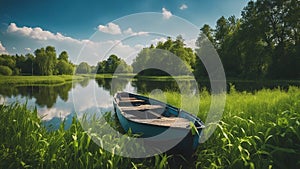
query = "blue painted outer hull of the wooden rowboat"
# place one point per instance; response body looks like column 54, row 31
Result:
column 184, row 140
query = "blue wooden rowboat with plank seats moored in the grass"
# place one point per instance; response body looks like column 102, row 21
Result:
column 149, row 118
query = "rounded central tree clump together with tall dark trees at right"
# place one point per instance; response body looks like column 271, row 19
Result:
column 262, row 44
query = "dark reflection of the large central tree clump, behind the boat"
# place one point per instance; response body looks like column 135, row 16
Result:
column 146, row 86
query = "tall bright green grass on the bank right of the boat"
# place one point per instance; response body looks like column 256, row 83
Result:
column 258, row 130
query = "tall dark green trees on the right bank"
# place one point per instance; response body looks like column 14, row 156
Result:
column 264, row 43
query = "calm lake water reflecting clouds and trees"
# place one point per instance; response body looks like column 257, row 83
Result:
column 55, row 103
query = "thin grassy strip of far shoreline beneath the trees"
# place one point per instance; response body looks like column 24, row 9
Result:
column 61, row 79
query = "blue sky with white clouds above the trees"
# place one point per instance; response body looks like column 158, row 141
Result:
column 69, row 25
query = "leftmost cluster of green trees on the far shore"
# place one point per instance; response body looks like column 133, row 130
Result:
column 43, row 62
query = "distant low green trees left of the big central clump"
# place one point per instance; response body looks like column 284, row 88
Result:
column 45, row 62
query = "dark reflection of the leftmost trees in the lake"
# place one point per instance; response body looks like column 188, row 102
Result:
column 44, row 95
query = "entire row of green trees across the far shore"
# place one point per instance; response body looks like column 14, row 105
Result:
column 262, row 44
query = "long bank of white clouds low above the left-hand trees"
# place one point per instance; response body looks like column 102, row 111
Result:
column 78, row 50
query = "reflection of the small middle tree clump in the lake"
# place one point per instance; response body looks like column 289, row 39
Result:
column 119, row 84
